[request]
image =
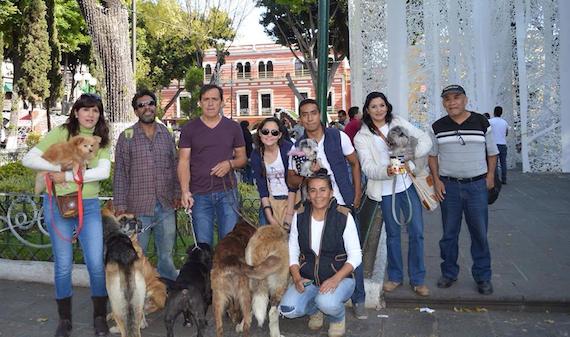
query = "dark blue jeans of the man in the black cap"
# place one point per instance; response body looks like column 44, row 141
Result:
column 469, row 199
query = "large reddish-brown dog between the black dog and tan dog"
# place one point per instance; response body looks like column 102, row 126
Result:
column 230, row 284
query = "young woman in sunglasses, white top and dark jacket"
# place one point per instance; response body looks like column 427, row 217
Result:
column 270, row 161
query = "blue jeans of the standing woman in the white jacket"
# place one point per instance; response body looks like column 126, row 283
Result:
column 416, row 268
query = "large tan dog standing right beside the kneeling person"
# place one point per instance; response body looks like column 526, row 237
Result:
column 268, row 253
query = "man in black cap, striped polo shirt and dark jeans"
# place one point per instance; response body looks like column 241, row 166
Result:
column 462, row 163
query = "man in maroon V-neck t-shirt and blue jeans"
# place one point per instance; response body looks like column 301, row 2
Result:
column 211, row 147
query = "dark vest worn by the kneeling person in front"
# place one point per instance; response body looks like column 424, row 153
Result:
column 332, row 255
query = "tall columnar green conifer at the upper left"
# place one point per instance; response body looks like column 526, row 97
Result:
column 33, row 83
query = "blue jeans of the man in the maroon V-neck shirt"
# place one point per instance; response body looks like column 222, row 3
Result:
column 221, row 206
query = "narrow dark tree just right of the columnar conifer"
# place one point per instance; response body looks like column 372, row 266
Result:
column 54, row 74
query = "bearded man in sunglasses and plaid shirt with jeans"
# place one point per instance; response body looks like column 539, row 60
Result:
column 145, row 182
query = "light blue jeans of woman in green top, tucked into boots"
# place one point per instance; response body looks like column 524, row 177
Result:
column 91, row 240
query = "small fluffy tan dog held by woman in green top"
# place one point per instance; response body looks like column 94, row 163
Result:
column 74, row 153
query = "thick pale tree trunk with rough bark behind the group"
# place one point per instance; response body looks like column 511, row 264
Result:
column 108, row 25
